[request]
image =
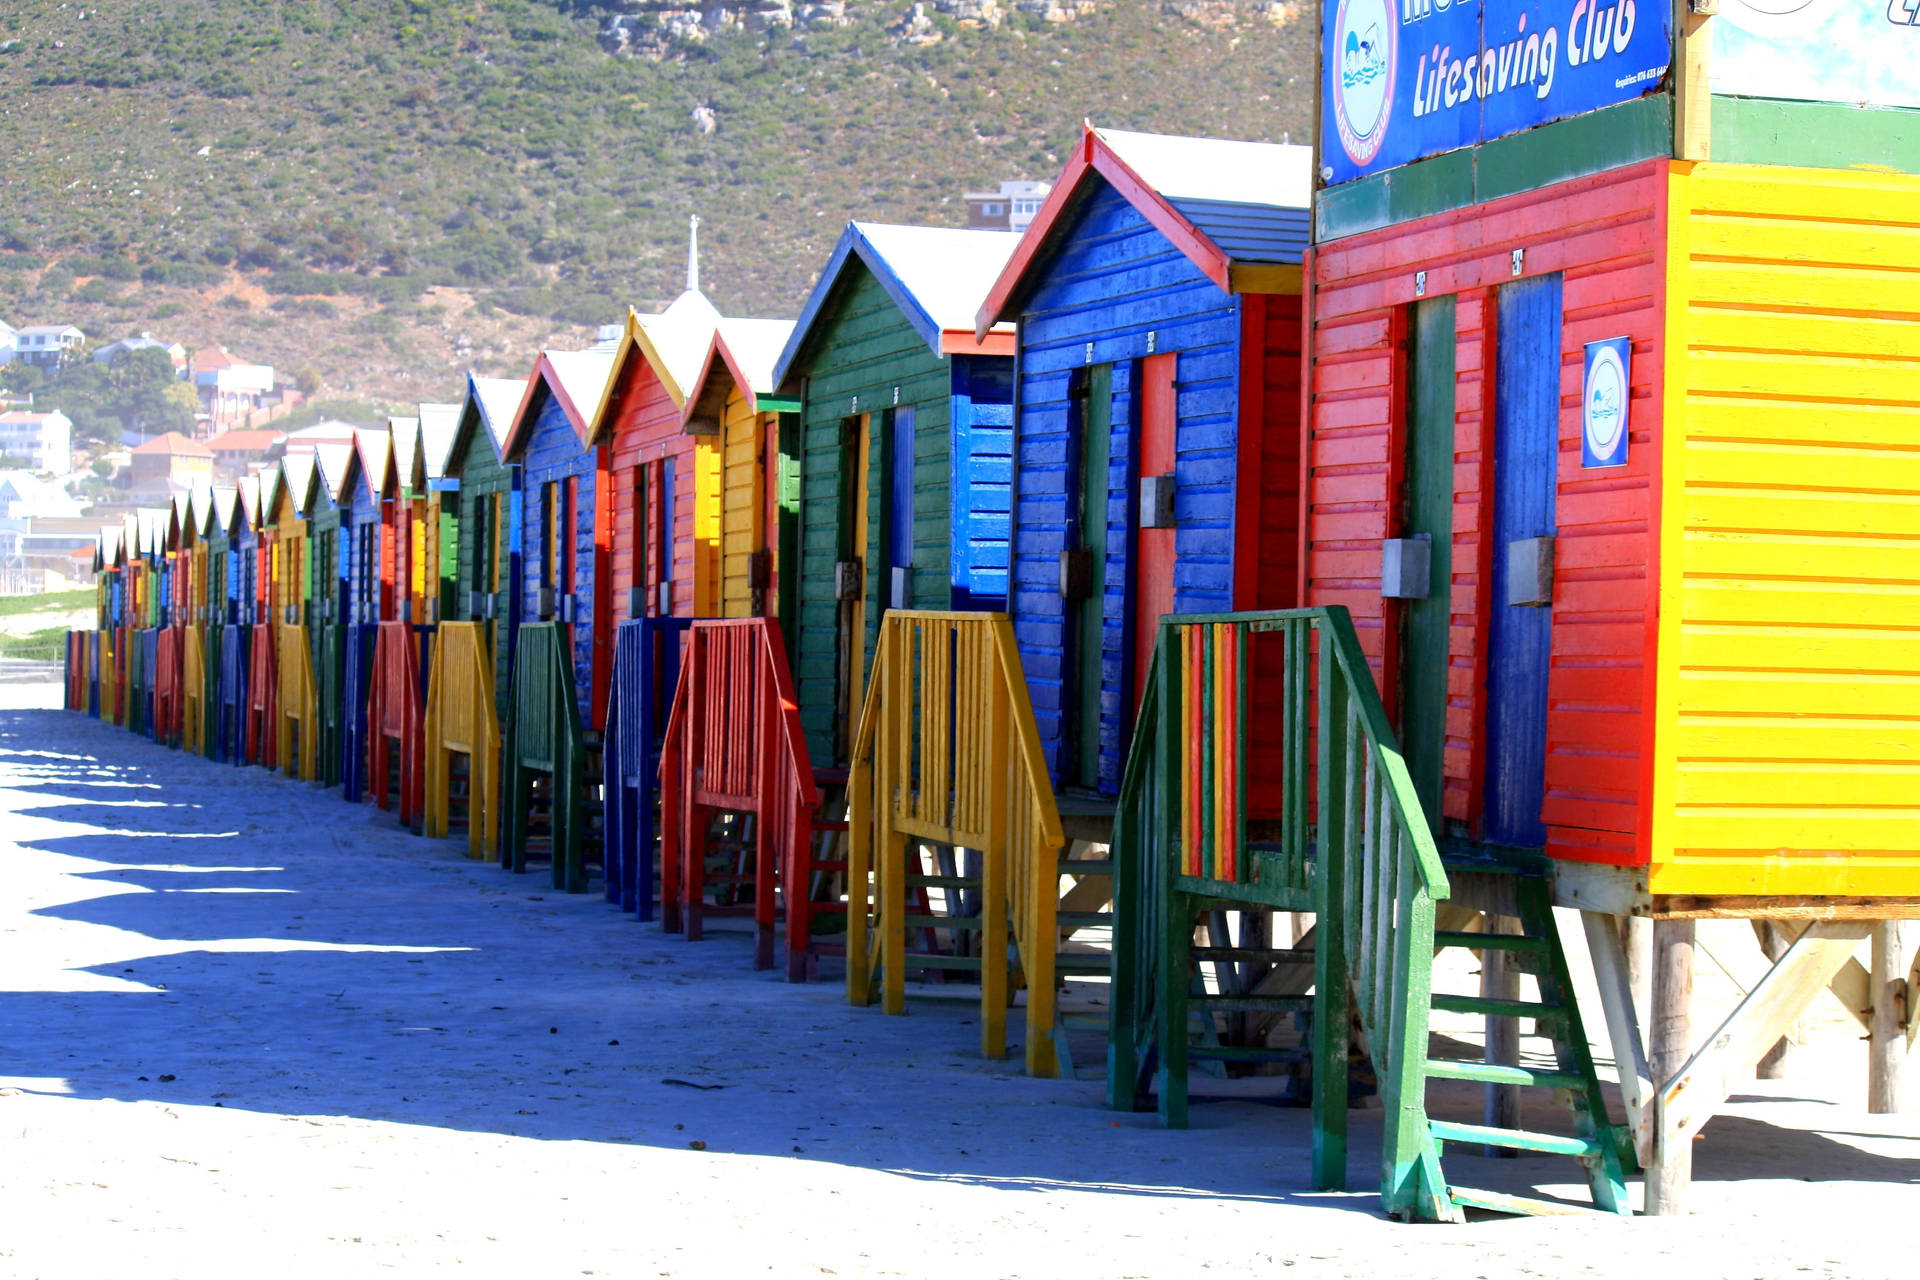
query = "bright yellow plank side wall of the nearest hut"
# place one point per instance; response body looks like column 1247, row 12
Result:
column 1788, row 746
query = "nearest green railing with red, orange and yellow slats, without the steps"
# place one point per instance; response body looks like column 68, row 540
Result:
column 1236, row 711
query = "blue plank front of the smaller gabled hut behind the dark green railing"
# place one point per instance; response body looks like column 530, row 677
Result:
column 552, row 454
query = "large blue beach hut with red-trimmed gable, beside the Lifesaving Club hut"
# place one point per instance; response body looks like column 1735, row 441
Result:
column 1159, row 439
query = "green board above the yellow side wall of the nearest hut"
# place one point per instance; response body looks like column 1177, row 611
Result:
column 1815, row 135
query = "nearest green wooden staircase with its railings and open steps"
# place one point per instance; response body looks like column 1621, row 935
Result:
column 1214, row 822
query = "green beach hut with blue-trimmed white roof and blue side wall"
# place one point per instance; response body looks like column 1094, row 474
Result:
column 905, row 439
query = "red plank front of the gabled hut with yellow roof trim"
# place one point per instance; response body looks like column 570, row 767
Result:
column 644, row 429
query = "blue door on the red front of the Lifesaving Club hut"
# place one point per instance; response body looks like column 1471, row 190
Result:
column 1520, row 642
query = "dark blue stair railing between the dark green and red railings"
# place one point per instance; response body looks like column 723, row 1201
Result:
column 646, row 667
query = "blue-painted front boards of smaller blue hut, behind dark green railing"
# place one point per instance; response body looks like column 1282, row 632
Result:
column 550, row 452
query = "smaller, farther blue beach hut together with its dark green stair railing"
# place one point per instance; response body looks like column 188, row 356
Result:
column 564, row 648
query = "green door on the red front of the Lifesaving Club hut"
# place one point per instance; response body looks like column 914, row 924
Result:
column 1429, row 519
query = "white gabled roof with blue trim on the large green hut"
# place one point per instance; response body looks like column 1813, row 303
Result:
column 936, row 275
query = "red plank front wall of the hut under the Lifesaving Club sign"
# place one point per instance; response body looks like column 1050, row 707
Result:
column 1606, row 235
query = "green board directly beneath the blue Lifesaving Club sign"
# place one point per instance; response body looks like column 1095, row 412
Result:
column 1560, row 153
